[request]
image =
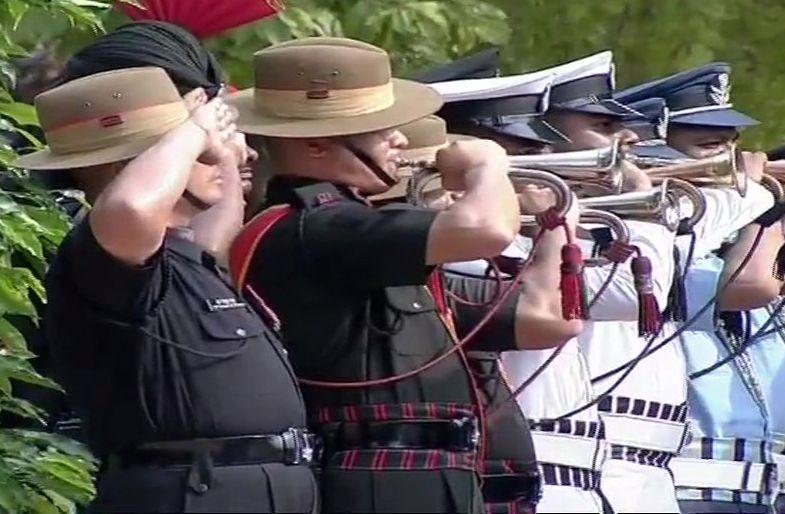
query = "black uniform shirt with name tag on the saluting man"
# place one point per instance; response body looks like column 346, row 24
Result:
column 164, row 351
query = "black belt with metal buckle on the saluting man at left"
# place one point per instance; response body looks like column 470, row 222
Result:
column 295, row 446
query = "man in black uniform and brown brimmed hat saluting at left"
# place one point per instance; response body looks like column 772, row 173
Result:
column 186, row 395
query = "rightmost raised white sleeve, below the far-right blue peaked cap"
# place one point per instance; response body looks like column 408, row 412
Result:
column 726, row 213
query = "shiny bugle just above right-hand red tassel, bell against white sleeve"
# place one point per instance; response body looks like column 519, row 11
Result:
column 660, row 205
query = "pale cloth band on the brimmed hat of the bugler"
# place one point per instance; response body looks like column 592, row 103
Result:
column 324, row 104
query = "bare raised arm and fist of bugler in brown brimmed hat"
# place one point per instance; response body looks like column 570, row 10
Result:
column 485, row 220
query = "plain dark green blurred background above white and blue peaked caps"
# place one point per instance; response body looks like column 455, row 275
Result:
column 652, row 39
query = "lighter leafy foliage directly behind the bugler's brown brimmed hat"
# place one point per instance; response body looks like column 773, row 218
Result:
column 417, row 33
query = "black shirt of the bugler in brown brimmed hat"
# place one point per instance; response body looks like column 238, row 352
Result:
column 348, row 282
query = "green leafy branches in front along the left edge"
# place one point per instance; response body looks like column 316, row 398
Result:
column 39, row 472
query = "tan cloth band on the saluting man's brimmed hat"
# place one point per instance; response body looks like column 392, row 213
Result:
column 113, row 130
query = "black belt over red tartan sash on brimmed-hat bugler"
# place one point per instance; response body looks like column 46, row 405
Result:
column 460, row 435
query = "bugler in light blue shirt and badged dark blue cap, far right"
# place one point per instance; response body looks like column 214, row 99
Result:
column 701, row 125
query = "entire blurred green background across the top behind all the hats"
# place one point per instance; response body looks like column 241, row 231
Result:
column 650, row 38
